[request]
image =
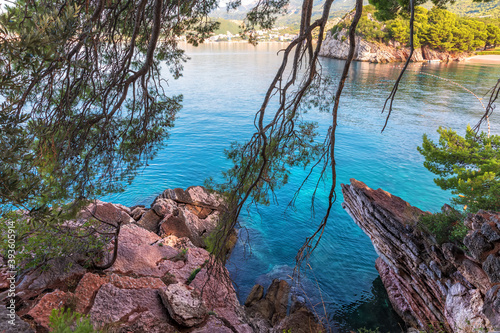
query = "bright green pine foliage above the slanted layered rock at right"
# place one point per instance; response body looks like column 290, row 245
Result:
column 468, row 166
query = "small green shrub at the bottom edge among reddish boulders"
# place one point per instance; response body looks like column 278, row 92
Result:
column 67, row 321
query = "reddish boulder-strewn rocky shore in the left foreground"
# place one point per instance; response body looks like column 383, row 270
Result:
column 160, row 281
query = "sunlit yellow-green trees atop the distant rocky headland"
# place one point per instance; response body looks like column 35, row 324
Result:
column 437, row 28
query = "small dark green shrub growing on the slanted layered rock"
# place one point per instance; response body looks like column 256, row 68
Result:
column 446, row 227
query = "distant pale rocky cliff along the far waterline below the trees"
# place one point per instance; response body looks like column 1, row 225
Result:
column 337, row 47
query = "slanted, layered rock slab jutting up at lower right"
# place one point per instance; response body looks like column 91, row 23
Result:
column 431, row 286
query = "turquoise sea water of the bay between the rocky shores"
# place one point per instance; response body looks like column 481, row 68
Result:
column 223, row 86
